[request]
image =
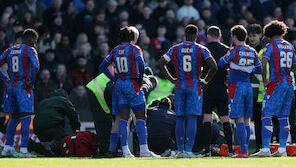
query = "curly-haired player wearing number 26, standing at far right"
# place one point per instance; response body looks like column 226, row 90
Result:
column 280, row 55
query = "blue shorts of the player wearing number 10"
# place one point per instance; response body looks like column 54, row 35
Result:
column 129, row 95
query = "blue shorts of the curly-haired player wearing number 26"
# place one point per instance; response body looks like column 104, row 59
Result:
column 278, row 99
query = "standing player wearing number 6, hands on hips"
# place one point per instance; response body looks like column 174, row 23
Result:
column 188, row 58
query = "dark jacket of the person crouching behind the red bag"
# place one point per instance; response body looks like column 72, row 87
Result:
column 51, row 112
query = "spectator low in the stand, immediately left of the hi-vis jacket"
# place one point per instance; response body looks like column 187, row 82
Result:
column 79, row 98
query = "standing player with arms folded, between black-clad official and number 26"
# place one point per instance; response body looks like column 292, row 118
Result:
column 243, row 61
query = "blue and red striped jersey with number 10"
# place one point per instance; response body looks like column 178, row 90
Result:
column 123, row 57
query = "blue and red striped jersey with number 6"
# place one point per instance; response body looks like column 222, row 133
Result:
column 187, row 58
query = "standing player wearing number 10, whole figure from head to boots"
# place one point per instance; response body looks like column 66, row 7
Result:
column 128, row 62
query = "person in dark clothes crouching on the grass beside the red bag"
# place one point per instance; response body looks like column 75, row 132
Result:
column 50, row 117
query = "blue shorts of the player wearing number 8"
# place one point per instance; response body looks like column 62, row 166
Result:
column 18, row 100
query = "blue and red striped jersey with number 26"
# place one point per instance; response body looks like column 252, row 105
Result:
column 281, row 55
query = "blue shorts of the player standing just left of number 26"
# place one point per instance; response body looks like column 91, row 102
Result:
column 240, row 100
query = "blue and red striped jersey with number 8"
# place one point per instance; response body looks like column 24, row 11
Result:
column 23, row 65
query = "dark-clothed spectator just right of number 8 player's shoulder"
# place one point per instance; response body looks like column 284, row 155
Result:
column 49, row 61
